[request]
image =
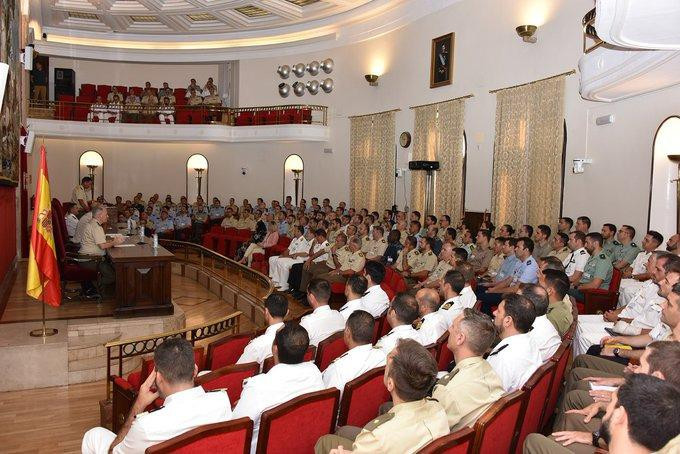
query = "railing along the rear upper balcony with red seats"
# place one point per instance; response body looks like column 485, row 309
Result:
column 183, row 114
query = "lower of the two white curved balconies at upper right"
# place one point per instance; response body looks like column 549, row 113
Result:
column 610, row 74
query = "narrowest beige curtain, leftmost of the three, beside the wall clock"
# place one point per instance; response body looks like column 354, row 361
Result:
column 372, row 165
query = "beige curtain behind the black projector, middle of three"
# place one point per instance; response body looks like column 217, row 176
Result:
column 438, row 136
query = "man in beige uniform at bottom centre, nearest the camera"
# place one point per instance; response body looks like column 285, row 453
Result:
column 412, row 422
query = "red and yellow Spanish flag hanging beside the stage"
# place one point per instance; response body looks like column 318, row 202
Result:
column 43, row 273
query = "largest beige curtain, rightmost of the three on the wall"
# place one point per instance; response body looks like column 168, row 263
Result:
column 527, row 166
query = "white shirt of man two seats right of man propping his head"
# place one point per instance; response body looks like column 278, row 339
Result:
column 351, row 365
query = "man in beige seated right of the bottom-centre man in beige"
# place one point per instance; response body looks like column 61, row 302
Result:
column 472, row 386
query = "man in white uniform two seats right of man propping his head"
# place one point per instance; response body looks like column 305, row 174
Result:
column 360, row 356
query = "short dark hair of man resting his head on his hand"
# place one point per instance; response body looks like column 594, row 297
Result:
column 174, row 359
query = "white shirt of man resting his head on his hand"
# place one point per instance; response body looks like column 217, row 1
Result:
column 180, row 413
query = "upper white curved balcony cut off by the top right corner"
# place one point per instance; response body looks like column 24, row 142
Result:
column 639, row 24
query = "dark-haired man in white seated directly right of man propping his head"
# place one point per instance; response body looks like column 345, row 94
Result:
column 289, row 378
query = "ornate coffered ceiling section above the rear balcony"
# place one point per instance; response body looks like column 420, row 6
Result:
column 187, row 17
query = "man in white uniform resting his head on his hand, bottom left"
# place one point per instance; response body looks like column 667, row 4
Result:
column 185, row 407
